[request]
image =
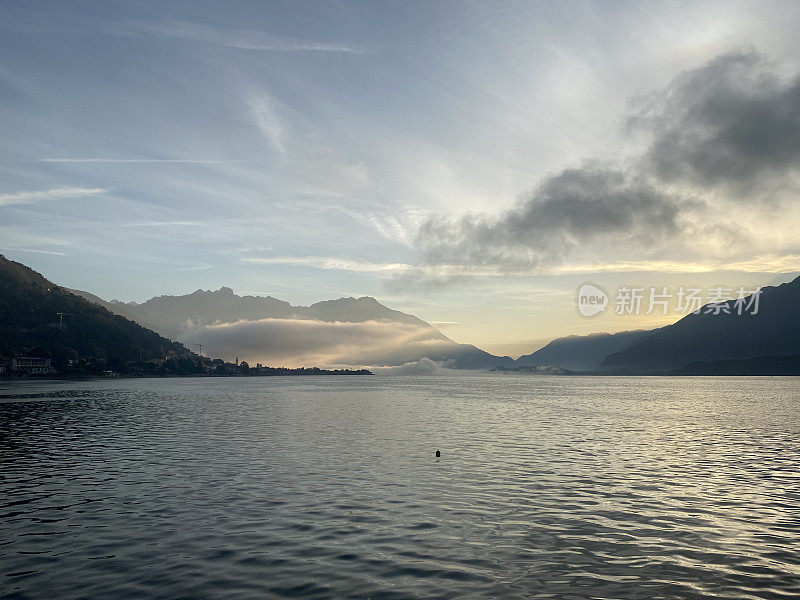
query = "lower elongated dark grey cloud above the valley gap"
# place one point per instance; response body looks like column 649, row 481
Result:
column 591, row 204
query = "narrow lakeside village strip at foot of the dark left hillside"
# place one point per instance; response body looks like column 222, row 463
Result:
column 175, row 365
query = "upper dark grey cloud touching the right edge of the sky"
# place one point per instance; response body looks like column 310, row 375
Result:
column 733, row 122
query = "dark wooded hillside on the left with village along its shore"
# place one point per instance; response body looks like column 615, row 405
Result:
column 100, row 344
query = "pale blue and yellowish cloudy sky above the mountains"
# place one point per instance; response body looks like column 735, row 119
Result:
column 472, row 163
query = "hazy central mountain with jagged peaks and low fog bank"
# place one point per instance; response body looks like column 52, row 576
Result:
column 347, row 331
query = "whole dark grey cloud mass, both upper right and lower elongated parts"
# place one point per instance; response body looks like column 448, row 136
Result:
column 734, row 122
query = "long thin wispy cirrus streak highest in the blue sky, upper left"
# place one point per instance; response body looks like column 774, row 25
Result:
column 243, row 39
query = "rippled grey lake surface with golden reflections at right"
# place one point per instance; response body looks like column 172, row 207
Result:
column 327, row 487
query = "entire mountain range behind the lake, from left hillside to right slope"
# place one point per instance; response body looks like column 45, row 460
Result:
column 364, row 332
